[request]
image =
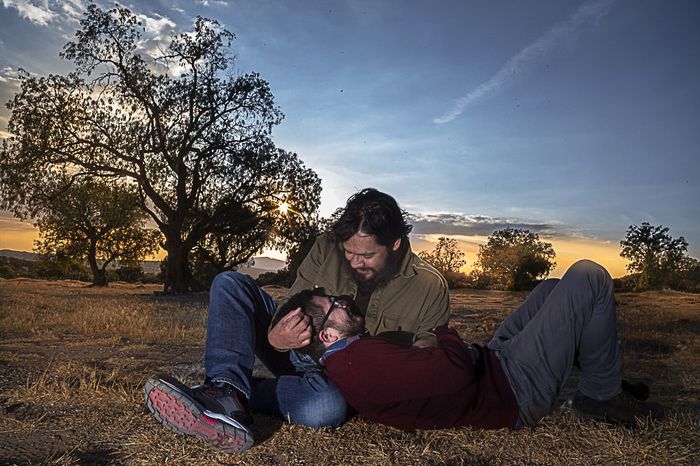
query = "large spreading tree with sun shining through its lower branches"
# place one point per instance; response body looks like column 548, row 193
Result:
column 191, row 137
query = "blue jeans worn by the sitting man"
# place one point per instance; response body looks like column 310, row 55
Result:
column 239, row 316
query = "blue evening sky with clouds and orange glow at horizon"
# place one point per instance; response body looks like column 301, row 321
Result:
column 573, row 119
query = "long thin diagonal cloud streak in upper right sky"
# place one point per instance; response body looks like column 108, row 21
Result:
column 589, row 13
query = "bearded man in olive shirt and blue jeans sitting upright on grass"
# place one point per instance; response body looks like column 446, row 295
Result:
column 366, row 255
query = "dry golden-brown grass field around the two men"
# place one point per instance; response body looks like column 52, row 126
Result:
column 73, row 361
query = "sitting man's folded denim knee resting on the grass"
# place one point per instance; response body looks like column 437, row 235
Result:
column 325, row 408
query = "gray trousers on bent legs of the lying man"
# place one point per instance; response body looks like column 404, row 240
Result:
column 562, row 322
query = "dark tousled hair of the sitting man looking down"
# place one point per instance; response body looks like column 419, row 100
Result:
column 374, row 213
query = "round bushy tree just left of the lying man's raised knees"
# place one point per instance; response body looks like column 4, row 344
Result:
column 514, row 259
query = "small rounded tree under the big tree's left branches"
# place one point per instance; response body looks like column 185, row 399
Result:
column 96, row 222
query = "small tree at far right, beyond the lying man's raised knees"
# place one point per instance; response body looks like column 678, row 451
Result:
column 658, row 258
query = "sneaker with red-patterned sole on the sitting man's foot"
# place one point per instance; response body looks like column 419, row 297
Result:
column 216, row 413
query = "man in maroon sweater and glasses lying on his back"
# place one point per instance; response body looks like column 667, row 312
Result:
column 512, row 382
